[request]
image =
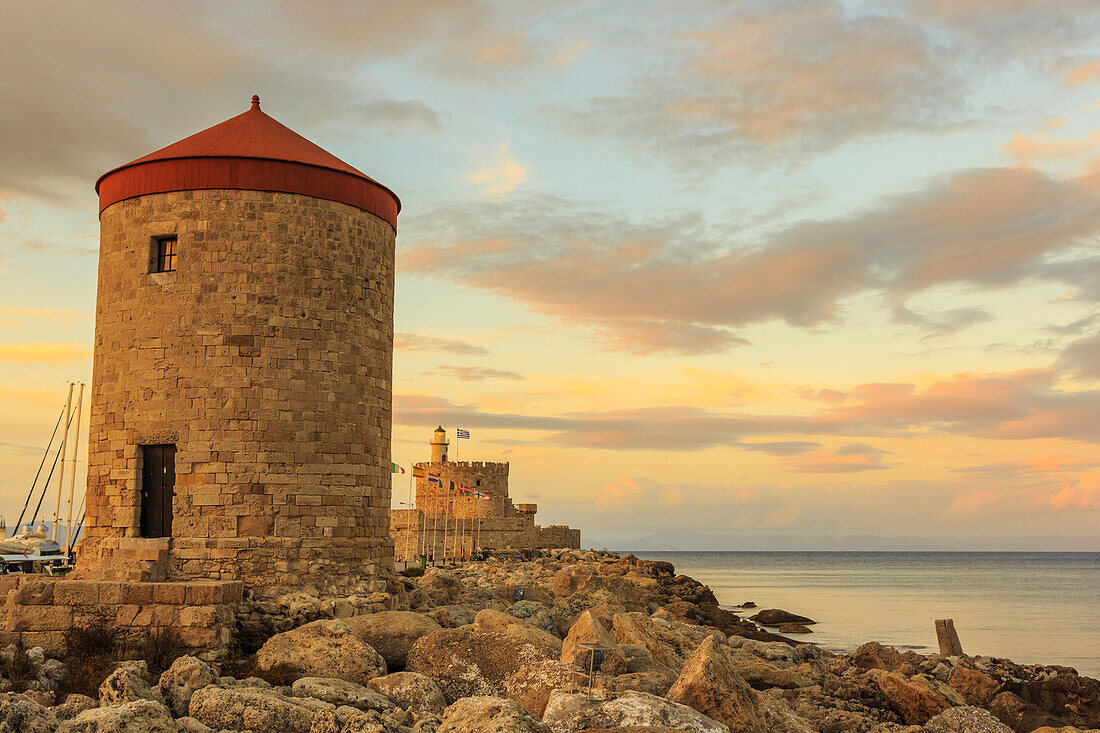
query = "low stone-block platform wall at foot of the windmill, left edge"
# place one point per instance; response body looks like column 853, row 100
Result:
column 39, row 610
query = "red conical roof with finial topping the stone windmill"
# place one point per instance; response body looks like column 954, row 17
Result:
column 251, row 151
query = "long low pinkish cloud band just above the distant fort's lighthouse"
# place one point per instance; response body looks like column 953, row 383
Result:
column 1009, row 407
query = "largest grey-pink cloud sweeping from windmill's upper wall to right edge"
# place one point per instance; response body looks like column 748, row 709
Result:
column 644, row 282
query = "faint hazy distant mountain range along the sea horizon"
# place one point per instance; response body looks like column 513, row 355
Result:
column 701, row 543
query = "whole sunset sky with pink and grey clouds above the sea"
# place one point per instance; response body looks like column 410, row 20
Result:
column 807, row 268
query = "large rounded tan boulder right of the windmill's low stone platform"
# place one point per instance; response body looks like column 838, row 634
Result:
column 323, row 649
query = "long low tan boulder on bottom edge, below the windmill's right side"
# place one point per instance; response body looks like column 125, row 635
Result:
column 255, row 709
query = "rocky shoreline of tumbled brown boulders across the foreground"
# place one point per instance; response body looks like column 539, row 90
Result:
column 489, row 647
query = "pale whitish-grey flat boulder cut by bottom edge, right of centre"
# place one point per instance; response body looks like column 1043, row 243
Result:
column 568, row 713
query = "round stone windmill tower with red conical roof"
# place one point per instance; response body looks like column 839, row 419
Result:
column 244, row 359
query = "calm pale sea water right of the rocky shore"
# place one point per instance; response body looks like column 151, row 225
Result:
column 1036, row 608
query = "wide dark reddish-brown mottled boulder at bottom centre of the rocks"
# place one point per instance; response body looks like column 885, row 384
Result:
column 466, row 663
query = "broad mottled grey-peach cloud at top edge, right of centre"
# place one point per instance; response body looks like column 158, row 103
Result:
column 790, row 78
